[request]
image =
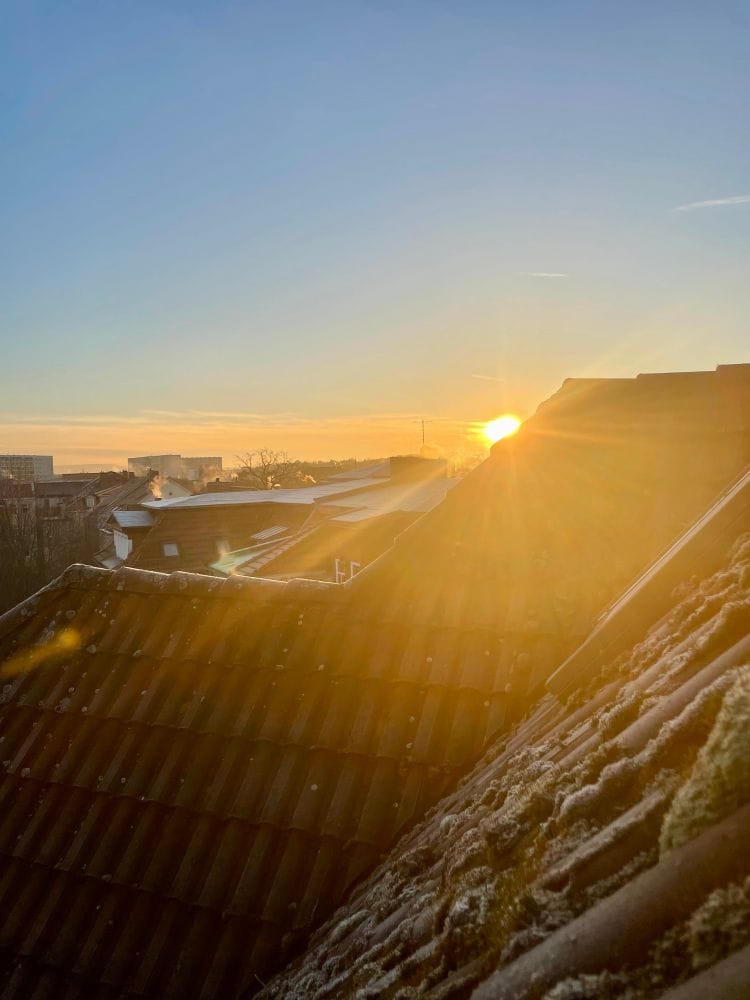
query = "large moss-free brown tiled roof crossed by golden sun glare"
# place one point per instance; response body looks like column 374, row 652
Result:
column 198, row 771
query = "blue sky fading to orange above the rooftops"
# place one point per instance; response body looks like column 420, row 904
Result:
column 308, row 225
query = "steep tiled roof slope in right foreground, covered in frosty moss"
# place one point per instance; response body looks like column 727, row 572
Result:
column 600, row 852
